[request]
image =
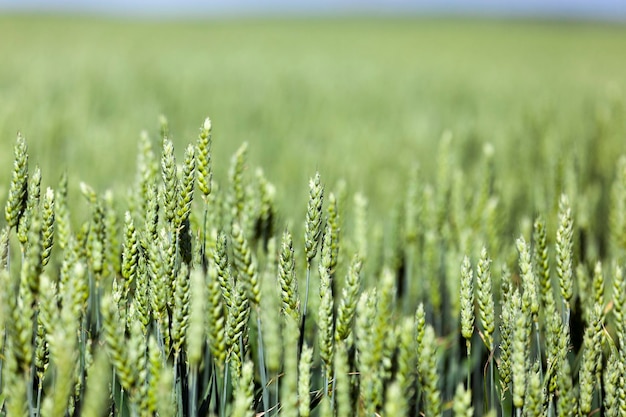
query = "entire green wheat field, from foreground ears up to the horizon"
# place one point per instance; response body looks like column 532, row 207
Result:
column 487, row 279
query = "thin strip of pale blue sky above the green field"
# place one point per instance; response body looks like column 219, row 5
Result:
column 593, row 9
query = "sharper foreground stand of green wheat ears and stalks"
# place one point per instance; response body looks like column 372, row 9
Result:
column 203, row 306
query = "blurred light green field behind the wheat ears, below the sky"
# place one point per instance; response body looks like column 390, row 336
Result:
column 360, row 99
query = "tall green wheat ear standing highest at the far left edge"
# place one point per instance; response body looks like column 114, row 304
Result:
column 16, row 201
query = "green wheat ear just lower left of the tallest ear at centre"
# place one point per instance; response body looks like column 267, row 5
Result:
column 287, row 278
